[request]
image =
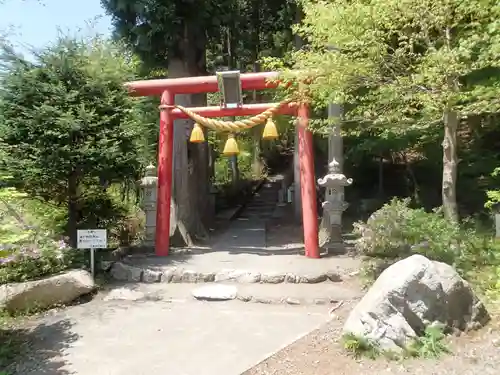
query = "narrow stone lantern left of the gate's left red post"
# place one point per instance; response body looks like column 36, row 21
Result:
column 149, row 187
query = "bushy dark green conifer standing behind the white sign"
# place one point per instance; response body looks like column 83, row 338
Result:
column 68, row 125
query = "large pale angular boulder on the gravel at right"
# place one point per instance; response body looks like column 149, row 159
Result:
column 408, row 296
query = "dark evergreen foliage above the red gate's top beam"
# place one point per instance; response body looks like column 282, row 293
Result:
column 216, row 24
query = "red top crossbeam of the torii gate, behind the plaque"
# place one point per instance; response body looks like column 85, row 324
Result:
column 202, row 84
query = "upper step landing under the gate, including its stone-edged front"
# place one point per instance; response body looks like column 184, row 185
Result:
column 241, row 267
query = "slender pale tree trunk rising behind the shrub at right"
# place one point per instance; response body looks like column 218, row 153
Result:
column 450, row 162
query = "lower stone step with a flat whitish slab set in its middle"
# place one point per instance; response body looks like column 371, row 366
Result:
column 291, row 294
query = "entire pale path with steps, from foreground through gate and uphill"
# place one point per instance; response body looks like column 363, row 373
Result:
column 149, row 323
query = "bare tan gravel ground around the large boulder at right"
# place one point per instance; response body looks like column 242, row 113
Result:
column 321, row 353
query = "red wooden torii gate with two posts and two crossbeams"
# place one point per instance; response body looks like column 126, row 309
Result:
column 168, row 88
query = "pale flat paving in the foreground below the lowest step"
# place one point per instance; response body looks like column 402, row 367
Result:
column 158, row 337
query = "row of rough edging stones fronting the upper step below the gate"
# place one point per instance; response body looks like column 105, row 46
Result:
column 124, row 272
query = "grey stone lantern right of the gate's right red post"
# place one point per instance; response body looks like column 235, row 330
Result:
column 334, row 205
